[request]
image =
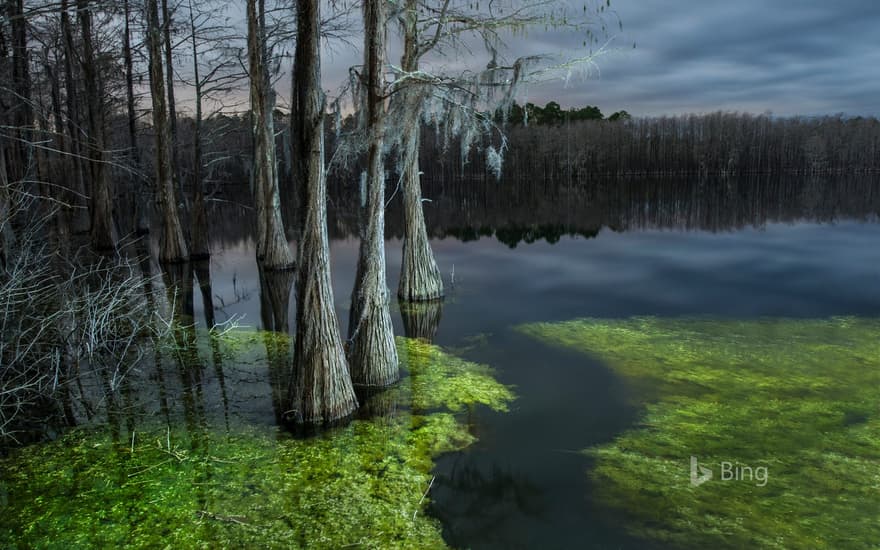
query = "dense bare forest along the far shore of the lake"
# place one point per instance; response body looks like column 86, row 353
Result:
column 577, row 147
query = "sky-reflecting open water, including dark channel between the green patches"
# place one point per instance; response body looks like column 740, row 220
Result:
column 522, row 484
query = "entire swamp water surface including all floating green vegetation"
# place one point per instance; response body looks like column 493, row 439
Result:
column 594, row 339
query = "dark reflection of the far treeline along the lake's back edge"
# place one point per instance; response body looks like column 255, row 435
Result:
column 530, row 210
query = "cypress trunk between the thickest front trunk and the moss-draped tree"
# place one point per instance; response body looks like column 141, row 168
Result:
column 373, row 354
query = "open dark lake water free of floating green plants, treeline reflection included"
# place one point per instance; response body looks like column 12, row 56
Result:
column 740, row 249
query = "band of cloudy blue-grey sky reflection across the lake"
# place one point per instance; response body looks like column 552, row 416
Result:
column 782, row 270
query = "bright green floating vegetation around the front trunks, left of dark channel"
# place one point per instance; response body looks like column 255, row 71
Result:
column 196, row 484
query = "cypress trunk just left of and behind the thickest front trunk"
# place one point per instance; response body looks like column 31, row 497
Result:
column 272, row 248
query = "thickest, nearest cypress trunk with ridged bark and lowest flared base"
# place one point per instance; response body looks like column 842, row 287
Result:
column 321, row 391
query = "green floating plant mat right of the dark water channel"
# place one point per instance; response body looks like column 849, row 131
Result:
column 798, row 397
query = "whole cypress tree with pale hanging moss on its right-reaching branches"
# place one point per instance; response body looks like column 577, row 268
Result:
column 456, row 102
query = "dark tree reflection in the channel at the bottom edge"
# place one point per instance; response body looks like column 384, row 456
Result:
column 472, row 504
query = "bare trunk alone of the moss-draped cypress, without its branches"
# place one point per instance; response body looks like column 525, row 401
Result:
column 420, row 278
